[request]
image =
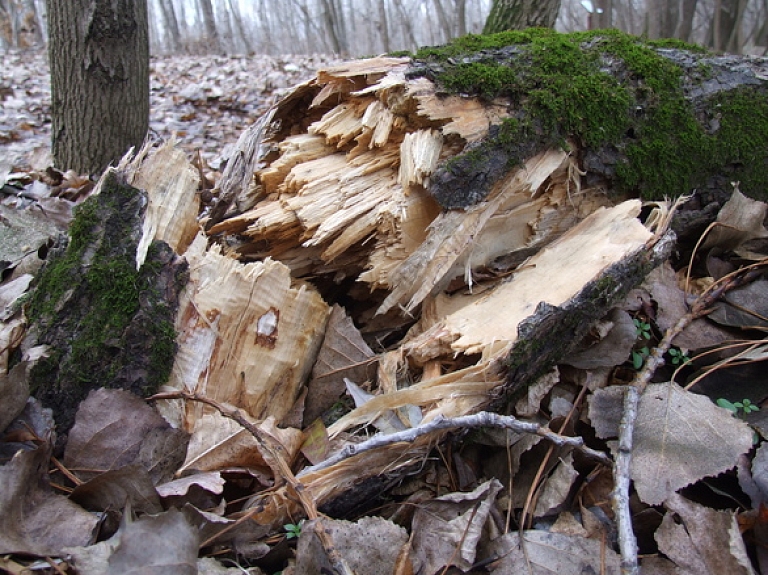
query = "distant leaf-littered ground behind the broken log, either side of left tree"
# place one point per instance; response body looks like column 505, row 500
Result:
column 205, row 101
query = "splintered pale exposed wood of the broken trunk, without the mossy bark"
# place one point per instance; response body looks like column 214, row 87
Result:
column 337, row 210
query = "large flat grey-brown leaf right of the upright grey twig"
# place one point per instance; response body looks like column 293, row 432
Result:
column 680, row 438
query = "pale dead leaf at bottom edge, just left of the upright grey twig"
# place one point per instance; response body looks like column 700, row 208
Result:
column 551, row 553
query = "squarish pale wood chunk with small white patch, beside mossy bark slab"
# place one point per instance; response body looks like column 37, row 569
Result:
column 247, row 336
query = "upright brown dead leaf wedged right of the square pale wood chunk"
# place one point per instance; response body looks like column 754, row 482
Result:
column 343, row 354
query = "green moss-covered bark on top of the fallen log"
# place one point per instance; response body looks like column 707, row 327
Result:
column 635, row 105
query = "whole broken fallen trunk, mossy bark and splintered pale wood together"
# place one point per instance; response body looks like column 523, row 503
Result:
column 467, row 215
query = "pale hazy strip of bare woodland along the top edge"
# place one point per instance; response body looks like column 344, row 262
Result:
column 366, row 27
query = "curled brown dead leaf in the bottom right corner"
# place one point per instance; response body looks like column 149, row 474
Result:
column 702, row 541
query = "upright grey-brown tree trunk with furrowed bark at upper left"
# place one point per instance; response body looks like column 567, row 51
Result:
column 99, row 55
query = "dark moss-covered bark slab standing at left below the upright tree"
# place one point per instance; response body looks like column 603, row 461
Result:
column 105, row 323
